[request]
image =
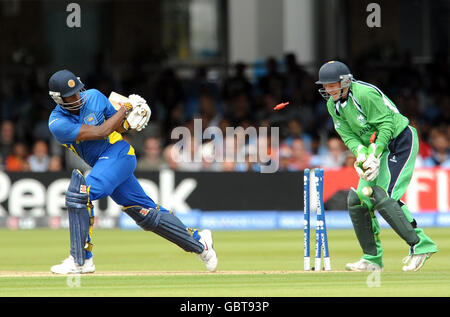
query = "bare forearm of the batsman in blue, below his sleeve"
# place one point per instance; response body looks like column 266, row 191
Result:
column 90, row 132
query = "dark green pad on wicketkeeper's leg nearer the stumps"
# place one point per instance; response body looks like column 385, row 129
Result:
column 362, row 223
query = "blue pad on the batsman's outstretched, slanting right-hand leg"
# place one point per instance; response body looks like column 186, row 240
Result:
column 165, row 224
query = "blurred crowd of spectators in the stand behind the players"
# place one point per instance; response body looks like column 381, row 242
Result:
column 244, row 99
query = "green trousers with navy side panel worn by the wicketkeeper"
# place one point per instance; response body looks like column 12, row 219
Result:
column 396, row 169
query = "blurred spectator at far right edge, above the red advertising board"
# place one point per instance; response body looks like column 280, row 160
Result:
column 441, row 150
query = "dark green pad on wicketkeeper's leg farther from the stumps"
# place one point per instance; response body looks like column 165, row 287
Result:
column 391, row 211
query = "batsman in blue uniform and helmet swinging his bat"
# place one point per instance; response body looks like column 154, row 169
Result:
column 85, row 122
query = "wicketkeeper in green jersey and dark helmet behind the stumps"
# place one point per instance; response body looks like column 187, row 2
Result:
column 385, row 146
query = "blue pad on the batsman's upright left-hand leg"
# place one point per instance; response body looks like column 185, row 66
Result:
column 80, row 219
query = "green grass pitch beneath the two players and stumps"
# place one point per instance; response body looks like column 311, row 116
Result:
column 251, row 264
